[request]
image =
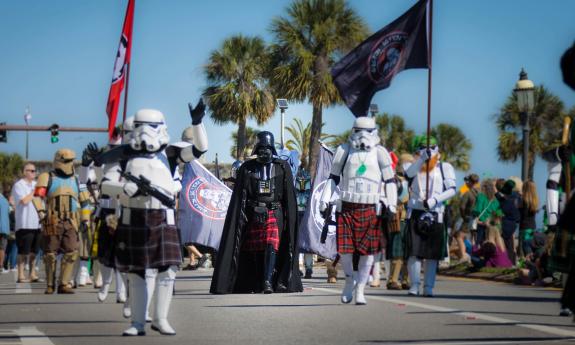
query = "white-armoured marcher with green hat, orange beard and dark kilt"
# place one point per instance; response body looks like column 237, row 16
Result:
column 426, row 231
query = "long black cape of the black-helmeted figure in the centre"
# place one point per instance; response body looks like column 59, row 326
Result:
column 236, row 271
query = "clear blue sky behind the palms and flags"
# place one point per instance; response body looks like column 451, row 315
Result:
column 57, row 57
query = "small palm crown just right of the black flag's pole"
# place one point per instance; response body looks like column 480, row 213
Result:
column 453, row 145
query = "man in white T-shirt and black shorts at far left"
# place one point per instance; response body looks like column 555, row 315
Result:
column 27, row 223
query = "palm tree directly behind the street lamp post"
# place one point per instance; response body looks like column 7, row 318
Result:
column 545, row 124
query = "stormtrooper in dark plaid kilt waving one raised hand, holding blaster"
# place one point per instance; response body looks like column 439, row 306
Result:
column 147, row 242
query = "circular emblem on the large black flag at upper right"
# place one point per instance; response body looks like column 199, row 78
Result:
column 385, row 56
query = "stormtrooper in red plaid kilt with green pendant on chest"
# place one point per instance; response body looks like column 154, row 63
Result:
column 363, row 171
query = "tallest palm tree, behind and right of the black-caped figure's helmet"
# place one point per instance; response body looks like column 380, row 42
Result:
column 308, row 41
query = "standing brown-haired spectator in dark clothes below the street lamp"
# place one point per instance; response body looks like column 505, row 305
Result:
column 528, row 207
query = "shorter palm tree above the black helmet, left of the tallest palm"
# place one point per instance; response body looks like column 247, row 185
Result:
column 238, row 88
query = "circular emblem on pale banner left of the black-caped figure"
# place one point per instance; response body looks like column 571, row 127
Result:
column 208, row 199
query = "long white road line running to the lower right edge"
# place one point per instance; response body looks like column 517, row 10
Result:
column 478, row 316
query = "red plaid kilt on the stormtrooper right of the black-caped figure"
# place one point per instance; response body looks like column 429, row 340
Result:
column 358, row 229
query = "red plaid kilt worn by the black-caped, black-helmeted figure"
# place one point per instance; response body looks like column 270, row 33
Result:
column 259, row 236
